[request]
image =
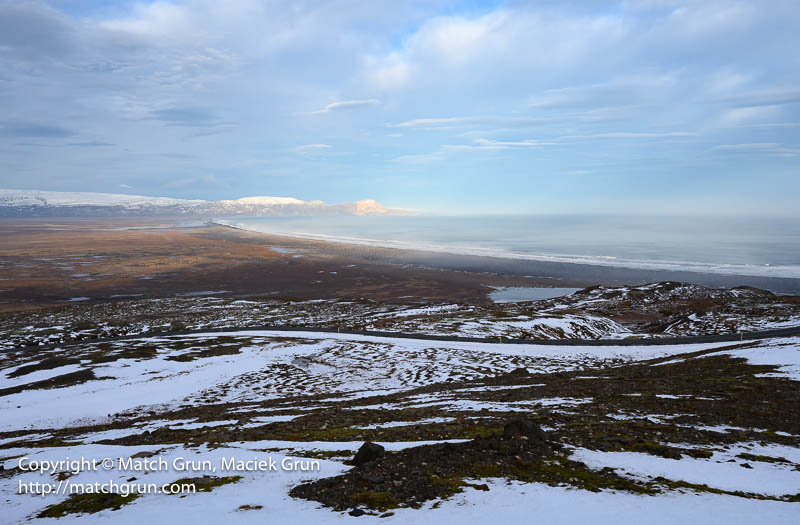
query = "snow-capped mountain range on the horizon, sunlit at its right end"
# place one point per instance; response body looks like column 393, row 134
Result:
column 36, row 203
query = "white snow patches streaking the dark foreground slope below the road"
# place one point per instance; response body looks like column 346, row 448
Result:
column 143, row 389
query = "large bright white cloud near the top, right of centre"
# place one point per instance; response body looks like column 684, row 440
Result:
column 506, row 50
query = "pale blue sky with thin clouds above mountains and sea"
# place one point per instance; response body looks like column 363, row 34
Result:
column 633, row 106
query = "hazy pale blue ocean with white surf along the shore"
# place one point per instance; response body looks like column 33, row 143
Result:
column 768, row 247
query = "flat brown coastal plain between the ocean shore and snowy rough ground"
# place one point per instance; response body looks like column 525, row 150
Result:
column 52, row 262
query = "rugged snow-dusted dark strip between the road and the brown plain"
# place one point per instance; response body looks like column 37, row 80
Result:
column 655, row 310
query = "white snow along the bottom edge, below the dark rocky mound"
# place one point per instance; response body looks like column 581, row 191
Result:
column 507, row 502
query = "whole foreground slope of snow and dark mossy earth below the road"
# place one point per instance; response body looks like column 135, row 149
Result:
column 680, row 433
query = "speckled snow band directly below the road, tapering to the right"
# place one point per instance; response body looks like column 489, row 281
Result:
column 318, row 363
